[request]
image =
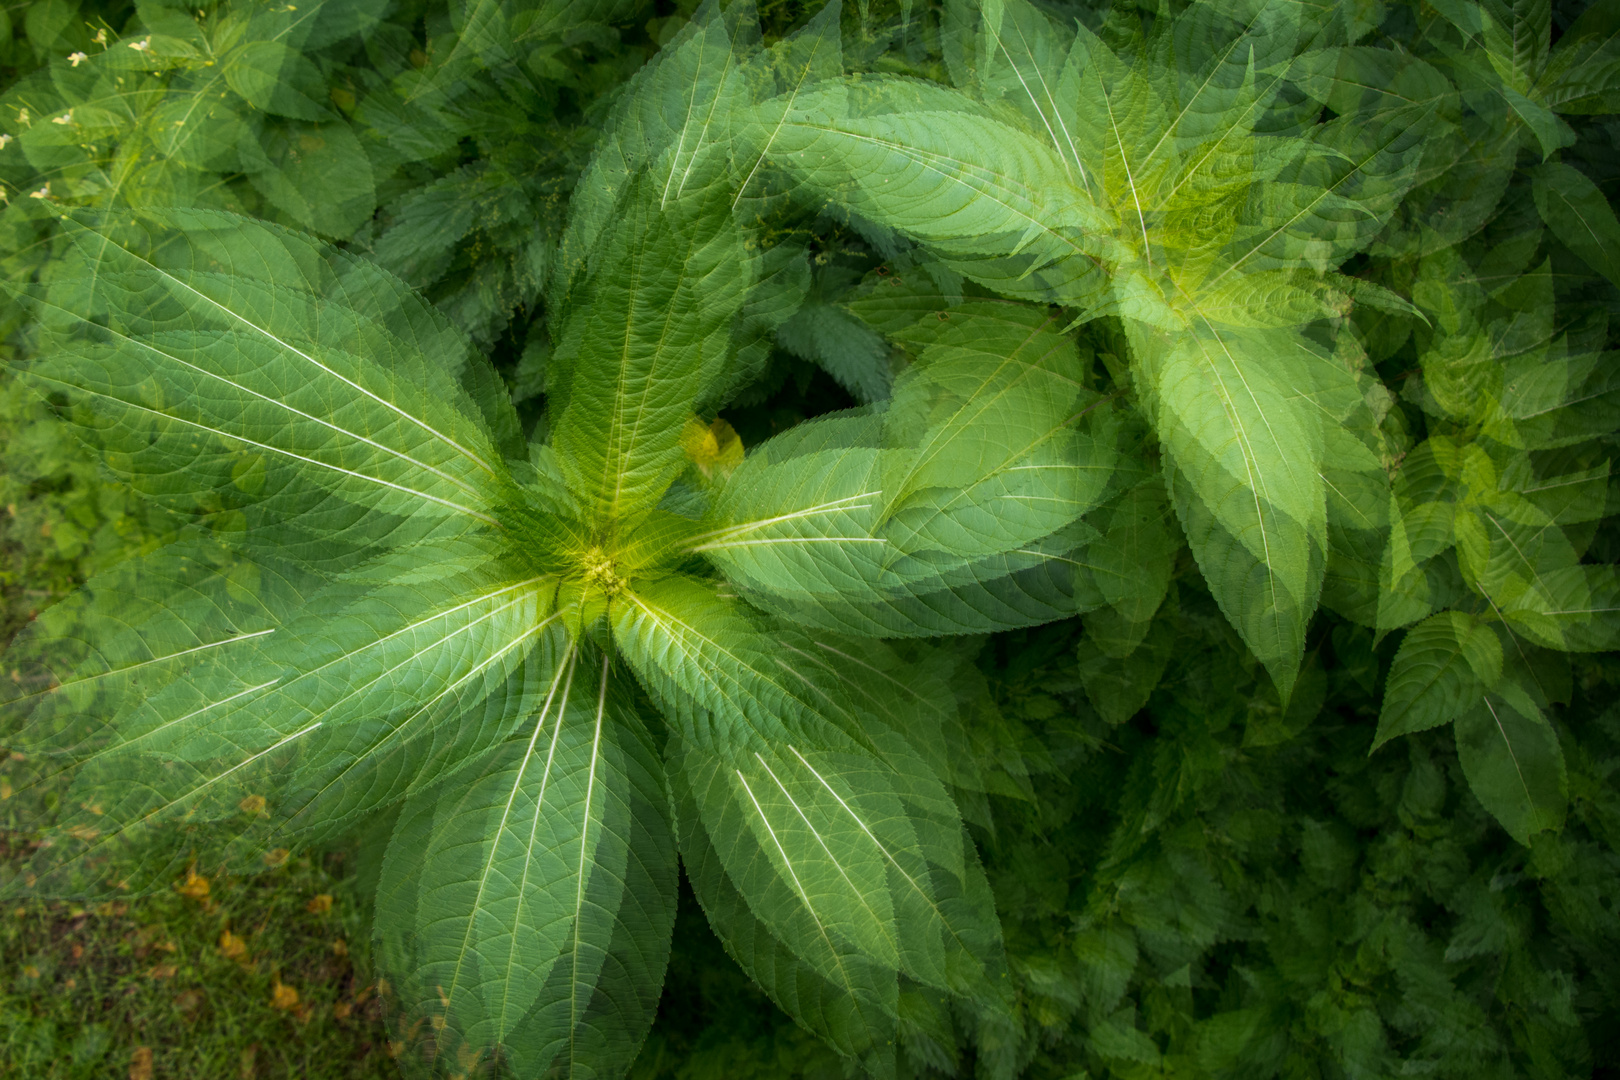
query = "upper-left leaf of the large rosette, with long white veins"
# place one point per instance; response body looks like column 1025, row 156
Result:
column 216, row 360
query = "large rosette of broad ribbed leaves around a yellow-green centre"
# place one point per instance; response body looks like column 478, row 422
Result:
column 552, row 666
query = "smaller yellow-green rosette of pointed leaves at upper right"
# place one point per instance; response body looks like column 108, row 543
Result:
column 1177, row 179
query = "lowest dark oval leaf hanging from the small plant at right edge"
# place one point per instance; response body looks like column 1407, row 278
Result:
column 1514, row 763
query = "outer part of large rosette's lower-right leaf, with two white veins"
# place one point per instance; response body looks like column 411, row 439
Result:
column 838, row 849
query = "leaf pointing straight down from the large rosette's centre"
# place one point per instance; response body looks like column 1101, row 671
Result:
column 506, row 895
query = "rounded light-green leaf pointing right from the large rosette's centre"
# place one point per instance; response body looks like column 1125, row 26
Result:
column 966, row 477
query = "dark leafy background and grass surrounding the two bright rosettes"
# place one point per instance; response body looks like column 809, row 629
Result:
column 1193, row 877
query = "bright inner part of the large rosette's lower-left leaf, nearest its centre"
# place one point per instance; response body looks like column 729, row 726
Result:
column 411, row 666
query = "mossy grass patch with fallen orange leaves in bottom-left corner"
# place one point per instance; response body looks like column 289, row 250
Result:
column 255, row 979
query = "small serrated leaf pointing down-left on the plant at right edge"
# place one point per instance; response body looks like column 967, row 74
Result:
column 1446, row 665
